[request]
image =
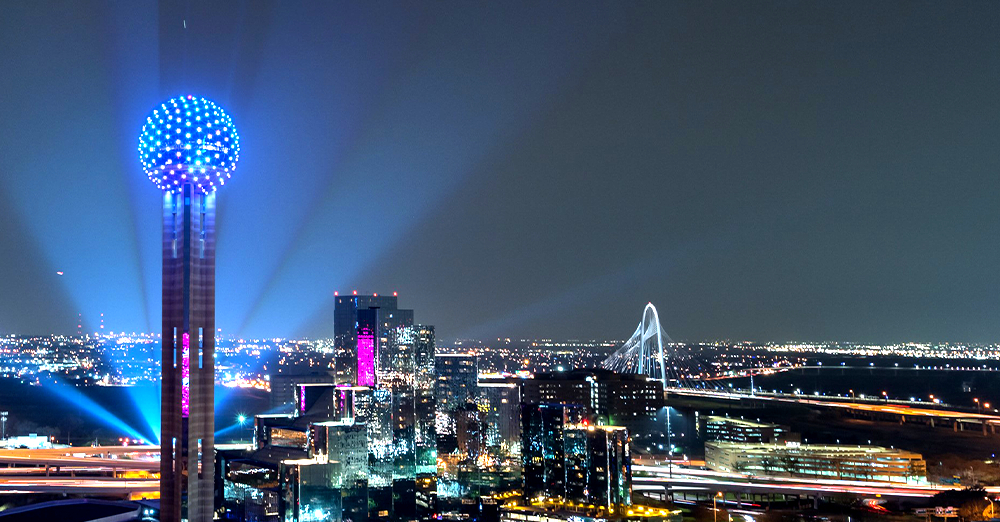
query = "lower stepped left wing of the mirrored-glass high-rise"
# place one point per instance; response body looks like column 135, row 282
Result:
column 310, row 464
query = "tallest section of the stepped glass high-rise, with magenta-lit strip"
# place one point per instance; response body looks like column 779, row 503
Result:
column 382, row 351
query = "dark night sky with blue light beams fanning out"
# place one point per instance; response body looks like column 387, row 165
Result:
column 757, row 170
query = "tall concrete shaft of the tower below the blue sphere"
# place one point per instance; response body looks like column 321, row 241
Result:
column 187, row 441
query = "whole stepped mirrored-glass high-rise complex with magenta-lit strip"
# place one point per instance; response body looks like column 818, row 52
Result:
column 357, row 443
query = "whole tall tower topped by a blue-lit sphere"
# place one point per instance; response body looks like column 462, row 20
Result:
column 188, row 148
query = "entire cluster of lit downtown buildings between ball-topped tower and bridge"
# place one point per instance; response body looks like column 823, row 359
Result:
column 397, row 432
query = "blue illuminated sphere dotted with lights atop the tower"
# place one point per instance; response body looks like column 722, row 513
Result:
column 188, row 139
